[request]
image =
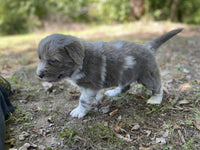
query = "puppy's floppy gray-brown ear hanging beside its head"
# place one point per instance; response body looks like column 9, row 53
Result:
column 76, row 51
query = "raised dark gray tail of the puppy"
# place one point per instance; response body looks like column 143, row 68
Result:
column 155, row 44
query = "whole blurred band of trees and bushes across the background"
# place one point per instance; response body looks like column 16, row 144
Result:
column 20, row 16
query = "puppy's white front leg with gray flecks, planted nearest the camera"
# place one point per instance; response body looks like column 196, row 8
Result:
column 85, row 103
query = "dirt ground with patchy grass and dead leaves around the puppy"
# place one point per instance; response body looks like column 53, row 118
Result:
column 42, row 120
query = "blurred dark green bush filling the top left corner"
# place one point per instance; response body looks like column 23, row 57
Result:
column 18, row 16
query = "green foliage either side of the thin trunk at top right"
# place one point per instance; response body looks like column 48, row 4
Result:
column 187, row 11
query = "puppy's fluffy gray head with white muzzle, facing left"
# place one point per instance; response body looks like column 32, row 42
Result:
column 59, row 56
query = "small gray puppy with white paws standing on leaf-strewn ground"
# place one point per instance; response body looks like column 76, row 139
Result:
column 97, row 65
